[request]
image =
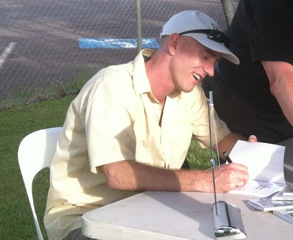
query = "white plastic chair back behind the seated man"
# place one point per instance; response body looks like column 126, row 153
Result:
column 35, row 153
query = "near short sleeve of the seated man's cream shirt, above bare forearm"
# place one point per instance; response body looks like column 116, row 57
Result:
column 109, row 132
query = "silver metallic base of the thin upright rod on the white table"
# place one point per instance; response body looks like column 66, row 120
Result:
column 228, row 221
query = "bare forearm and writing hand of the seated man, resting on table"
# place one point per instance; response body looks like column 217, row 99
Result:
column 134, row 176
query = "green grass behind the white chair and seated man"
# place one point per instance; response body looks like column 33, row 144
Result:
column 15, row 123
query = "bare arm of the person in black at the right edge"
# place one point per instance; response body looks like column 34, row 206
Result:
column 280, row 76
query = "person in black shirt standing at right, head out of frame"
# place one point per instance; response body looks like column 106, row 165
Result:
column 257, row 95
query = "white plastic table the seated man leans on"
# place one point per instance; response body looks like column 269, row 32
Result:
column 175, row 215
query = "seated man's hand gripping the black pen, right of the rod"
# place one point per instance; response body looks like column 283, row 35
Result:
column 230, row 176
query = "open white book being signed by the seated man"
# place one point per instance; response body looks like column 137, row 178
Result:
column 265, row 167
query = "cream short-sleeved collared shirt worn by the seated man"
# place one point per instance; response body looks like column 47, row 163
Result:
column 115, row 117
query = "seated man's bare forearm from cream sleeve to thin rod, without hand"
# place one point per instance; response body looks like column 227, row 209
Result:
column 134, row 176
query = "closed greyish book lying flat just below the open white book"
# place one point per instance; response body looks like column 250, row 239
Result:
column 268, row 204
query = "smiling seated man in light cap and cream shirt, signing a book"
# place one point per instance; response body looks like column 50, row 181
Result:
column 130, row 127
